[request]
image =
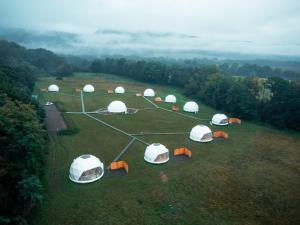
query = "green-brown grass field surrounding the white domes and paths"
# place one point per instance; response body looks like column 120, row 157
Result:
column 253, row 178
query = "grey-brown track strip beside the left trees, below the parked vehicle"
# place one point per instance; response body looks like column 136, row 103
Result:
column 54, row 120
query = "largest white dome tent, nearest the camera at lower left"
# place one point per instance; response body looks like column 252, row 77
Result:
column 86, row 169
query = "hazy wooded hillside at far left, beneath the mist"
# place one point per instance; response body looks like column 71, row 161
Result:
column 14, row 55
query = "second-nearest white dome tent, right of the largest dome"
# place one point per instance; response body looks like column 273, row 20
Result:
column 156, row 153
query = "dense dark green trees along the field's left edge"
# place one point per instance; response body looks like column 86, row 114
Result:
column 22, row 145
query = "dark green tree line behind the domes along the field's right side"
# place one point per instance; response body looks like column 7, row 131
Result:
column 271, row 100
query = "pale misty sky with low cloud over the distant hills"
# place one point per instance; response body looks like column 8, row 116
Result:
column 256, row 26
